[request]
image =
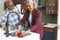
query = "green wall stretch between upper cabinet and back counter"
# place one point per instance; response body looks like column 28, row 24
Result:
column 49, row 18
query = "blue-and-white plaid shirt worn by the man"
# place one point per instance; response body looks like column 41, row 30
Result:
column 12, row 17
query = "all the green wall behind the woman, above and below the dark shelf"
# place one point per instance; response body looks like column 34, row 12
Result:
column 47, row 18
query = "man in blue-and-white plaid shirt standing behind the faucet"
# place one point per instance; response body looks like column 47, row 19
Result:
column 12, row 13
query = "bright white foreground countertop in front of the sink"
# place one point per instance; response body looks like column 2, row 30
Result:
column 32, row 36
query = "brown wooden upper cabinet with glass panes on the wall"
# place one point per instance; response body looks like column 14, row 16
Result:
column 51, row 6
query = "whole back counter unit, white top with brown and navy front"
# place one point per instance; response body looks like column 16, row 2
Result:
column 50, row 32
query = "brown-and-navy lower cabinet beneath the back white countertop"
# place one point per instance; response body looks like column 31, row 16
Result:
column 50, row 33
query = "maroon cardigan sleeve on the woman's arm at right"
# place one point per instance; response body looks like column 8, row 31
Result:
column 37, row 22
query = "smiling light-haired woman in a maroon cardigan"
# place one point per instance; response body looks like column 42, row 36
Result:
column 33, row 16
